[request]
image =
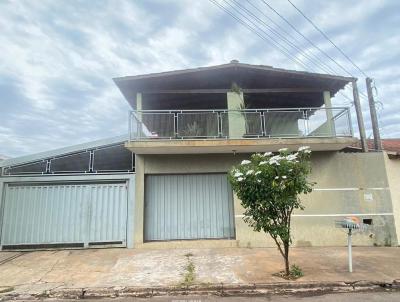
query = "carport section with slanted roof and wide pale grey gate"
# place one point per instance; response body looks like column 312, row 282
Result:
column 70, row 197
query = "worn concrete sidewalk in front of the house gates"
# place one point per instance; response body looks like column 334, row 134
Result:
column 37, row 272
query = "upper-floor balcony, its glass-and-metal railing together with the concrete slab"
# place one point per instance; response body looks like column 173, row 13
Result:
column 249, row 130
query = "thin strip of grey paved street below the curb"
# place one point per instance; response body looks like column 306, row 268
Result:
column 353, row 297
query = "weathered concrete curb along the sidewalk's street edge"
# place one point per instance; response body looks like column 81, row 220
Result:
column 277, row 288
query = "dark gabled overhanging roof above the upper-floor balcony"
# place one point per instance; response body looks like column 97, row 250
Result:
column 222, row 76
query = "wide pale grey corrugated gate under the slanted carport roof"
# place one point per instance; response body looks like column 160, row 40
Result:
column 64, row 215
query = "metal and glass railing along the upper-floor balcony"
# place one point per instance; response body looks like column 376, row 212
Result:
column 234, row 124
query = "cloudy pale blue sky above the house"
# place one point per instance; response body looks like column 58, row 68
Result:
column 58, row 58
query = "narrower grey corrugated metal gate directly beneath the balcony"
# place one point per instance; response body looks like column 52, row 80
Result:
column 195, row 206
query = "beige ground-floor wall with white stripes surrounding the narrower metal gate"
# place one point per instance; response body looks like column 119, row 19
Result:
column 347, row 183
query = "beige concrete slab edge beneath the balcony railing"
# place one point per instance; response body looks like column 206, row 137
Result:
column 192, row 146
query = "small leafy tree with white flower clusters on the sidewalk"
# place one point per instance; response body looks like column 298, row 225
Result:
column 268, row 186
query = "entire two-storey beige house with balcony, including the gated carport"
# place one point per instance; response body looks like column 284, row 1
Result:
column 187, row 129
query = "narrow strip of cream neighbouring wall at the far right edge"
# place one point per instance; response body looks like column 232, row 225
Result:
column 393, row 173
